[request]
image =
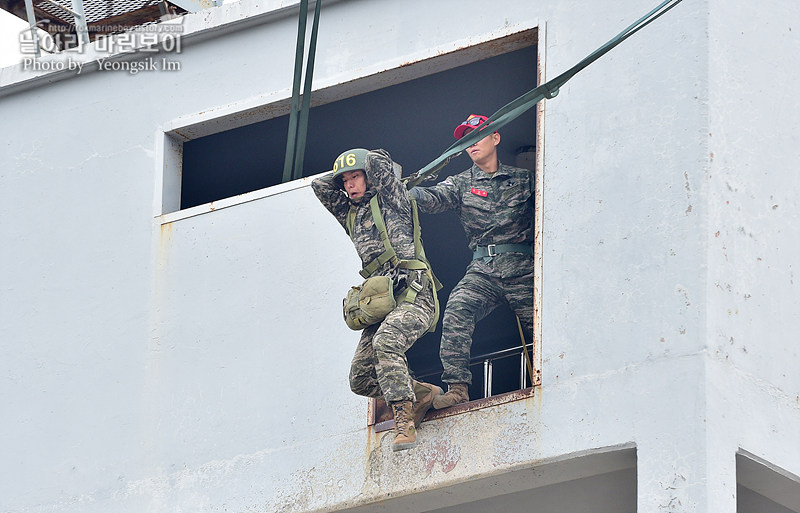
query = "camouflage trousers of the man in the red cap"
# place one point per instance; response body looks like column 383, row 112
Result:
column 476, row 295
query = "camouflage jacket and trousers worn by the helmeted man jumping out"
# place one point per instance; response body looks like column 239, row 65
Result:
column 379, row 366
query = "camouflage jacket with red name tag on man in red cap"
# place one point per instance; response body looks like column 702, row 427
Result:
column 494, row 208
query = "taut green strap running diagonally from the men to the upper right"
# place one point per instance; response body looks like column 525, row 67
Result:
column 548, row 90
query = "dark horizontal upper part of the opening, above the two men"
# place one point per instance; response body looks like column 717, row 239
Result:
column 412, row 120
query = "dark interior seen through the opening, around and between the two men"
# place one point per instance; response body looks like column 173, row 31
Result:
column 414, row 121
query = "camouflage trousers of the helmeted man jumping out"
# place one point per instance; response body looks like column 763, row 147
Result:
column 379, row 366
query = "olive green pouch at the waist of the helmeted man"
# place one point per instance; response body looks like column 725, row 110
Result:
column 369, row 303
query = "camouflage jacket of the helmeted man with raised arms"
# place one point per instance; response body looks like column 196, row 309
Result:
column 395, row 206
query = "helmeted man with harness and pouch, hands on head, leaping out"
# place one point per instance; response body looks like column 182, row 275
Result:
column 397, row 303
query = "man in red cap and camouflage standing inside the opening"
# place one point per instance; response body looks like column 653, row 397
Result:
column 495, row 204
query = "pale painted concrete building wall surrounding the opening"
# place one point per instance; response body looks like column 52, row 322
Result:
column 200, row 365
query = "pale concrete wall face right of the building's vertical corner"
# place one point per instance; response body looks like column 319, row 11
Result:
column 752, row 235
